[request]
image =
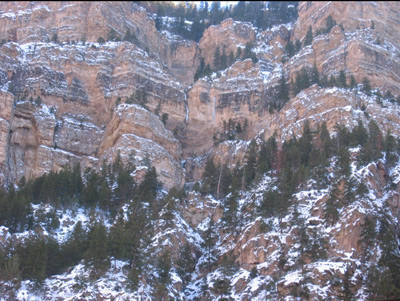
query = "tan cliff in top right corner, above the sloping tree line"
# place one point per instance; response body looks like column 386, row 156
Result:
column 368, row 47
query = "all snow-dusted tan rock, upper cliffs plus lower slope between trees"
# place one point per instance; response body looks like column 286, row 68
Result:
column 72, row 102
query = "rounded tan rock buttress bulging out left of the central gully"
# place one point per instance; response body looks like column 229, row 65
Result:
column 138, row 134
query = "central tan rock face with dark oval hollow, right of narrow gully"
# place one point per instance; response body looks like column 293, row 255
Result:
column 241, row 93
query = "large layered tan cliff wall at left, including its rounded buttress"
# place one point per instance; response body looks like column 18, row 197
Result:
column 78, row 87
